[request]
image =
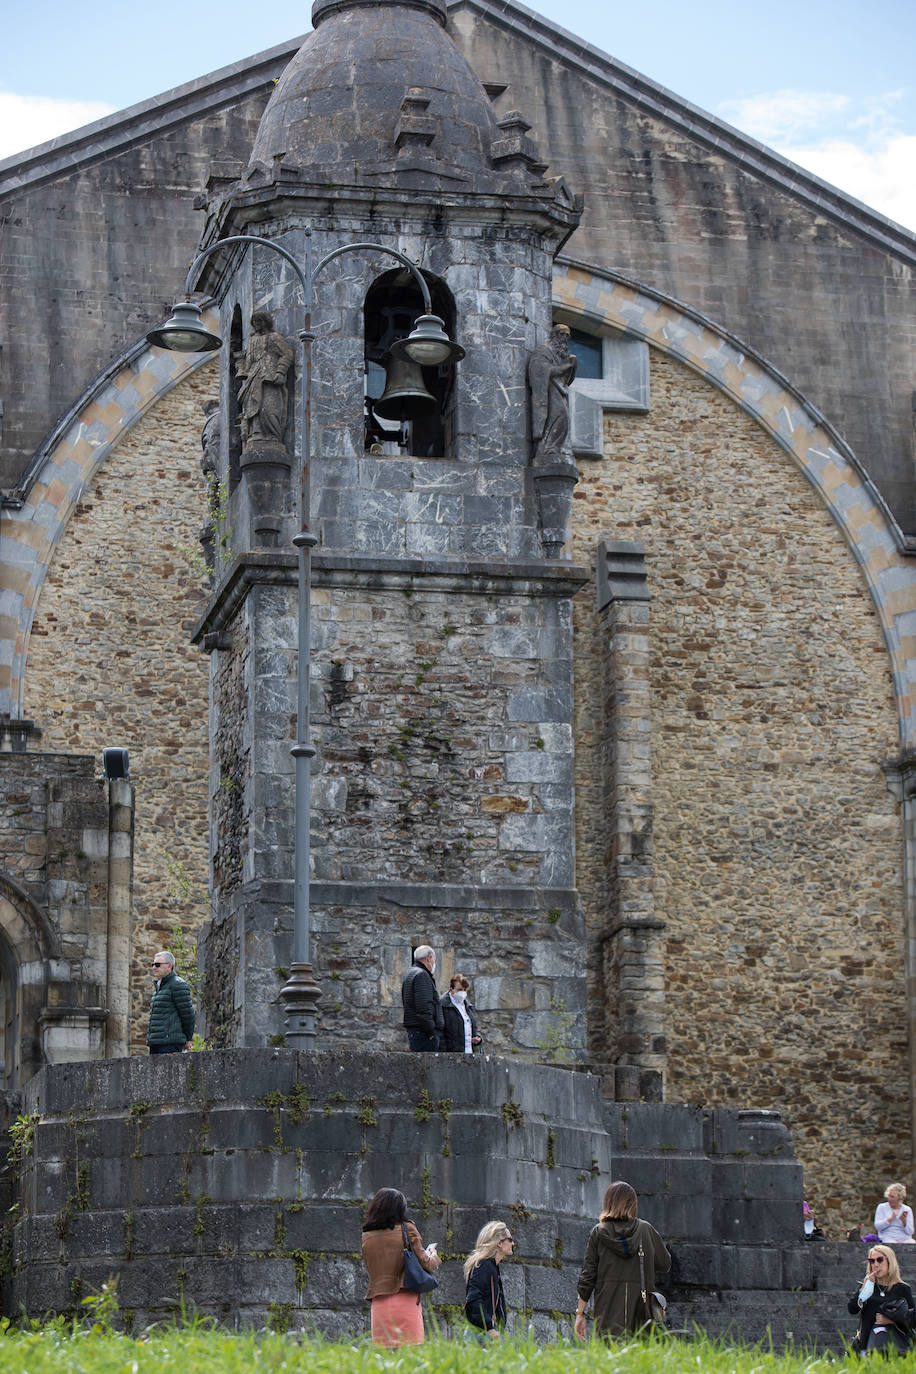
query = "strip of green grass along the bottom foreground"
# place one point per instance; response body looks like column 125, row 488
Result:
column 72, row 1349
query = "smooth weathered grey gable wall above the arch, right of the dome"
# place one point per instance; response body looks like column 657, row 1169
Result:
column 697, row 222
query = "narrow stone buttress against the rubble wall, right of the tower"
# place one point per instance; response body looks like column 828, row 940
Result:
column 632, row 954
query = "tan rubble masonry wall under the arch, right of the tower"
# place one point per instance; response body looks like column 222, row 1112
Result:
column 777, row 843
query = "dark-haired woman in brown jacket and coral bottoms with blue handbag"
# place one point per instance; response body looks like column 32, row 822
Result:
column 398, row 1316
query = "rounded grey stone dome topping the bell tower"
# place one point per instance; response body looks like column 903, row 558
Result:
column 380, row 91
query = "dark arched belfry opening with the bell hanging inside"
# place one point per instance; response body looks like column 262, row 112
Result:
column 409, row 409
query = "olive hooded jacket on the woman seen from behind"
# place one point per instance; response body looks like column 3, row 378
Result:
column 612, row 1273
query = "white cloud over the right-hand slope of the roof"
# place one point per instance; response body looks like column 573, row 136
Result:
column 859, row 148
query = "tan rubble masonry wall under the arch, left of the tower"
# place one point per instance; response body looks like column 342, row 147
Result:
column 111, row 660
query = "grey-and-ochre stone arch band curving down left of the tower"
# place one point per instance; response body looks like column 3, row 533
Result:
column 36, row 516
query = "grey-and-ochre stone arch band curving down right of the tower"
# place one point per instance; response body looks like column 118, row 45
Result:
column 827, row 462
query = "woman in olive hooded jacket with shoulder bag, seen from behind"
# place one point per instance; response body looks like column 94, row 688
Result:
column 623, row 1258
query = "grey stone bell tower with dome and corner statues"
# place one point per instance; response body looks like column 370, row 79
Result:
column 442, row 792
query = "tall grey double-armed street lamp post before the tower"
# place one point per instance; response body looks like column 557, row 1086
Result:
column 428, row 346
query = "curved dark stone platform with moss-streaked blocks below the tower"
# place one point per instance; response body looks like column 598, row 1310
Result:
column 236, row 1181
